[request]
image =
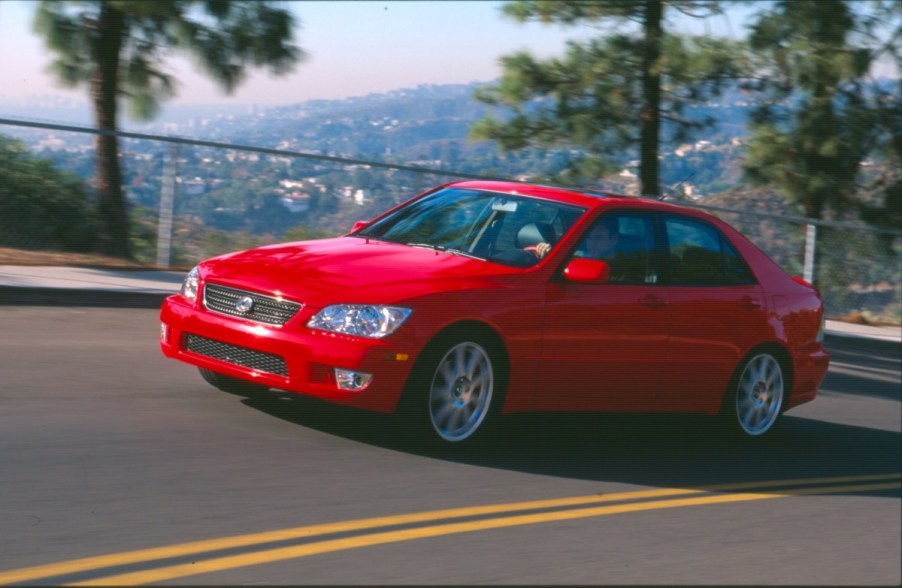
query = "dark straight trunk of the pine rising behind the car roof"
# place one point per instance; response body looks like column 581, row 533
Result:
column 650, row 114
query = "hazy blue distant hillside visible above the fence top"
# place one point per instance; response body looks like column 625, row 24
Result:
column 429, row 126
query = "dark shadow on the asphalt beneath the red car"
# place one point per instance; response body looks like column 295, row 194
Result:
column 672, row 450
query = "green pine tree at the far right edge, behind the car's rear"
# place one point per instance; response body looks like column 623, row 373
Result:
column 821, row 114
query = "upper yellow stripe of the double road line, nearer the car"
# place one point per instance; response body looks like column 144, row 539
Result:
column 196, row 547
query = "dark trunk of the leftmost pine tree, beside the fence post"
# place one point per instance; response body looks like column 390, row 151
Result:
column 114, row 229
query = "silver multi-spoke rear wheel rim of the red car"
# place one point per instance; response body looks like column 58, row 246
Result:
column 758, row 395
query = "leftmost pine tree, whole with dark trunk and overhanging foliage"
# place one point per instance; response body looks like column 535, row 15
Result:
column 117, row 48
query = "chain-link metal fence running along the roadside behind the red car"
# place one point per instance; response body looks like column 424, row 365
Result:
column 193, row 199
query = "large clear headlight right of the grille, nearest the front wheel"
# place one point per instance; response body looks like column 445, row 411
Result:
column 363, row 320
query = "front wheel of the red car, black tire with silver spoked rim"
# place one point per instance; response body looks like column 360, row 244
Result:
column 455, row 393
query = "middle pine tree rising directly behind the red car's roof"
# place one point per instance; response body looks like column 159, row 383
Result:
column 609, row 96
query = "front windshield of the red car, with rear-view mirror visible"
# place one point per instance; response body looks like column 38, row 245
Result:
column 501, row 228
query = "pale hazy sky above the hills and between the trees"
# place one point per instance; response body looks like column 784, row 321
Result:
column 353, row 47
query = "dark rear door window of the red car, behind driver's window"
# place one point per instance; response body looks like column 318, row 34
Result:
column 701, row 256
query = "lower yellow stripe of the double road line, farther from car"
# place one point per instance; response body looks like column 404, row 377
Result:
column 236, row 561
